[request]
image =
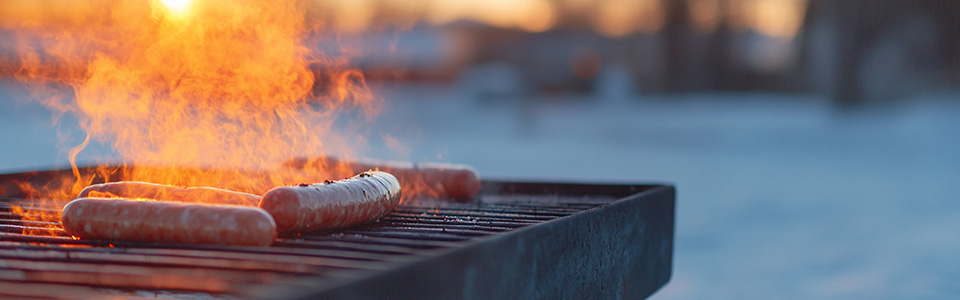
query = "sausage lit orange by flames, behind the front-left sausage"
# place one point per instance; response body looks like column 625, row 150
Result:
column 146, row 190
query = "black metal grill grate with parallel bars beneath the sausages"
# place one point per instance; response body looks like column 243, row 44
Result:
column 58, row 266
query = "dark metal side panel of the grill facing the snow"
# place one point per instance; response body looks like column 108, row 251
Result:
column 622, row 250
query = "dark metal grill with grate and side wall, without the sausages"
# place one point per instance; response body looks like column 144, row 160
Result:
column 514, row 240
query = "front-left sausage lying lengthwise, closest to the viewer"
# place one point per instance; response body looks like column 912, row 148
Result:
column 157, row 221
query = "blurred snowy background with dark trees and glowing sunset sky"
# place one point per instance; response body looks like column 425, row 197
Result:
column 813, row 143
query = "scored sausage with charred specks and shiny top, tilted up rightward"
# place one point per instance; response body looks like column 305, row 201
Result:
column 332, row 204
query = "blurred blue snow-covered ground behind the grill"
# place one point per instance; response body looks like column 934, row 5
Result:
column 780, row 196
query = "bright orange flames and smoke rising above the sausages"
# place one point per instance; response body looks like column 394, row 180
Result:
column 204, row 93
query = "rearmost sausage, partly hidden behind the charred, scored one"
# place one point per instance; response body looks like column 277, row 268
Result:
column 458, row 182
